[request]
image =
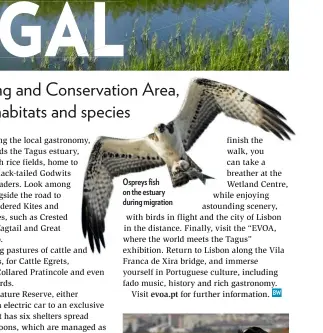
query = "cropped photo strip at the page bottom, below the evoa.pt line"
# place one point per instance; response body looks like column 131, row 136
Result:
column 206, row 323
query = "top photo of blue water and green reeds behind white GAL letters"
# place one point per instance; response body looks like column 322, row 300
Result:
column 145, row 27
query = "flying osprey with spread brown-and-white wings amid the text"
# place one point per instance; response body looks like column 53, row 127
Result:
column 168, row 144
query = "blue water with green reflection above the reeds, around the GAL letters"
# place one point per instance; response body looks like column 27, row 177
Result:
column 163, row 15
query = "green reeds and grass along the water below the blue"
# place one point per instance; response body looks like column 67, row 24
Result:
column 231, row 50
